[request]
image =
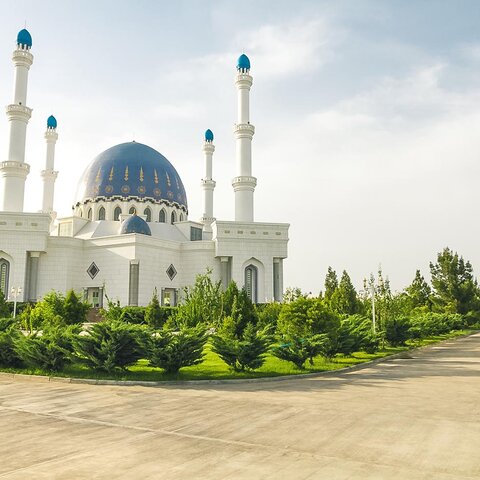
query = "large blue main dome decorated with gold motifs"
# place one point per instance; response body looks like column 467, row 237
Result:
column 132, row 171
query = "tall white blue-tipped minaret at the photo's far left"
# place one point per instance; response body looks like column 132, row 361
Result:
column 14, row 171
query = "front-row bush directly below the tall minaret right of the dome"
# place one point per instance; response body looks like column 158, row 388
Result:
column 246, row 353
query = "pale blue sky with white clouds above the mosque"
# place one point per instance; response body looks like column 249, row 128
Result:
column 367, row 115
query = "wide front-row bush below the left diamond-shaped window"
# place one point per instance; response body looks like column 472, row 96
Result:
column 109, row 345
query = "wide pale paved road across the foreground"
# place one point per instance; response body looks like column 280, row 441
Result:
column 416, row 418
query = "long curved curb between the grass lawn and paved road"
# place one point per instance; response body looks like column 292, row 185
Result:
column 280, row 378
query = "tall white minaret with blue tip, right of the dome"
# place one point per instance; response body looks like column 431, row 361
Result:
column 244, row 184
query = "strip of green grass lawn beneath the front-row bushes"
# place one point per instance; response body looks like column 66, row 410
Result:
column 213, row 368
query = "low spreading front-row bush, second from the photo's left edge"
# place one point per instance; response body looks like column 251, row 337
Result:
column 50, row 351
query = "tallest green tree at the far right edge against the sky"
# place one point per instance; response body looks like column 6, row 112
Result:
column 454, row 287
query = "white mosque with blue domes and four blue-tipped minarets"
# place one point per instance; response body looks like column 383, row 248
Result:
column 129, row 232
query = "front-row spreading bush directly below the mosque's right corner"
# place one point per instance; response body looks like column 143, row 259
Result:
column 299, row 350
